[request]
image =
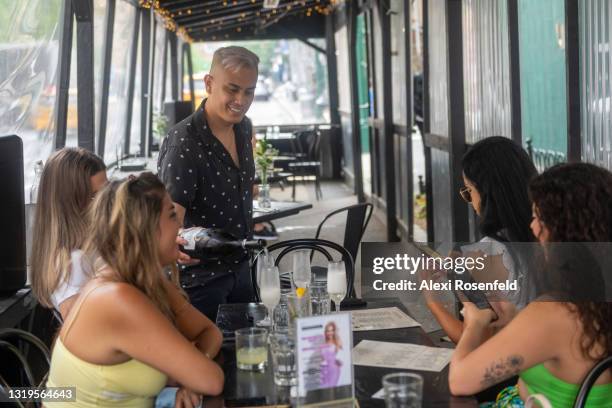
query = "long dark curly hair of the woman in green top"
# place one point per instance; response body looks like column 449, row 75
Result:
column 574, row 203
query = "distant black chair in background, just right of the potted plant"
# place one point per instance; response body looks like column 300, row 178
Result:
column 307, row 159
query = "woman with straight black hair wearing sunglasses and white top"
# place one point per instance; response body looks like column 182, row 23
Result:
column 496, row 175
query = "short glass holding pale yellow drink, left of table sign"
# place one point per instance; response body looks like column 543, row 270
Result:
column 252, row 349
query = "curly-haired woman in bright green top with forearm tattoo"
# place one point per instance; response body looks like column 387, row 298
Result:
column 552, row 343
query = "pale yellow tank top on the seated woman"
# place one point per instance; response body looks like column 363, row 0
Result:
column 130, row 384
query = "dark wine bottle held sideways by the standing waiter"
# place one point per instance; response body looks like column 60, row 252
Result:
column 210, row 243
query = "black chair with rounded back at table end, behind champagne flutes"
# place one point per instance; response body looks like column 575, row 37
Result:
column 319, row 245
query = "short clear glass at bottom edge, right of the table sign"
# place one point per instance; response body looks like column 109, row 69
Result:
column 403, row 390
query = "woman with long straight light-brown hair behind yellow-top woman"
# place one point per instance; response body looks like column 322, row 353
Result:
column 70, row 179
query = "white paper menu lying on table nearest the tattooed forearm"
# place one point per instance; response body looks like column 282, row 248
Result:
column 401, row 355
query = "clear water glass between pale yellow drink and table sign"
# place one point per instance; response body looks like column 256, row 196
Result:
column 282, row 350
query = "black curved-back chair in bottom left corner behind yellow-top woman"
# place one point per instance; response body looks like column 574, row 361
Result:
column 21, row 354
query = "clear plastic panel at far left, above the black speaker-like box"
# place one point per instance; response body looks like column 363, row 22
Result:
column 29, row 51
